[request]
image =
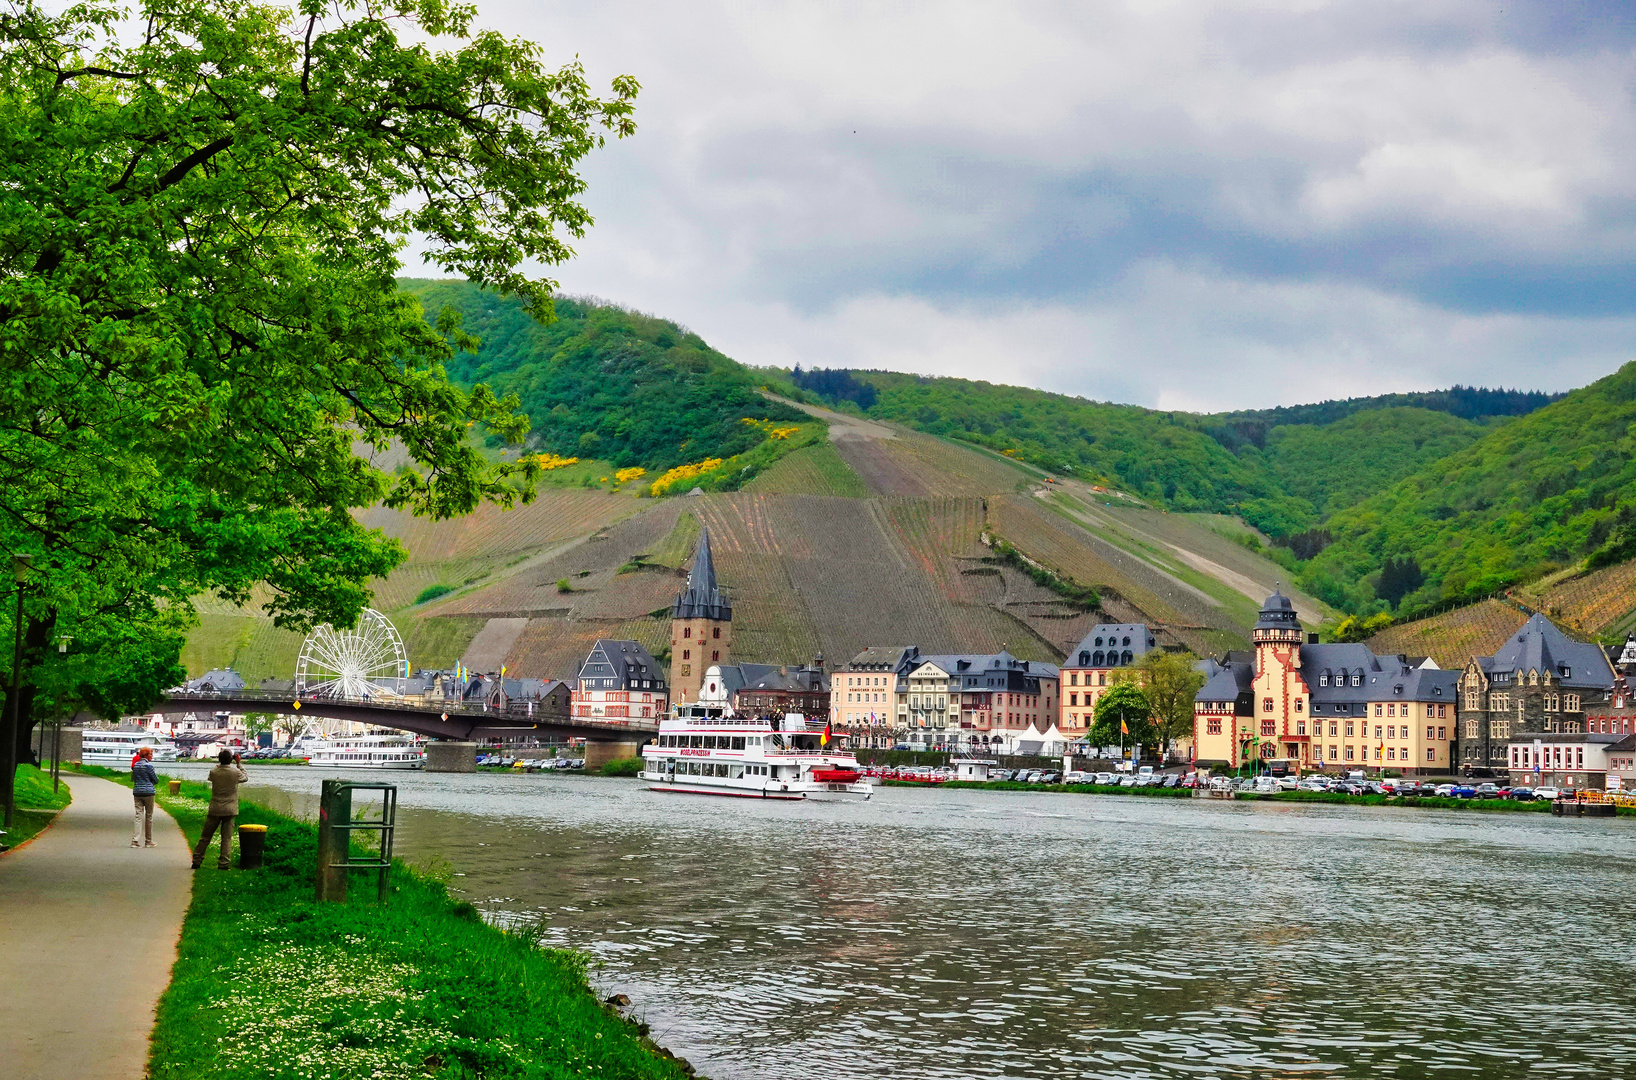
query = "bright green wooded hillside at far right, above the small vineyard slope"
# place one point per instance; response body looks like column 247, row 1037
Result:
column 1530, row 498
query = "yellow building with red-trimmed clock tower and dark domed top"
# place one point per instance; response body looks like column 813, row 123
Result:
column 1313, row 708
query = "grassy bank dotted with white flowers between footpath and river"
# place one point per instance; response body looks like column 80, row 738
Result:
column 272, row 984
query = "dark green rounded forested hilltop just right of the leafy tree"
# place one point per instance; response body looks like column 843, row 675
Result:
column 605, row 382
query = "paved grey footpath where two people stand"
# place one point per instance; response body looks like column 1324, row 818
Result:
column 89, row 930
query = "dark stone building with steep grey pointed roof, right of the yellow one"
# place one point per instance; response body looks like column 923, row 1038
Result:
column 1540, row 682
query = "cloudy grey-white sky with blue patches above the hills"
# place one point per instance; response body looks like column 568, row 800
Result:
column 1171, row 204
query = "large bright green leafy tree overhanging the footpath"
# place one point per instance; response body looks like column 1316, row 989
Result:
column 202, row 214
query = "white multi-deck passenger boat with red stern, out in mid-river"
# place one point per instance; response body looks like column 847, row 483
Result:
column 708, row 750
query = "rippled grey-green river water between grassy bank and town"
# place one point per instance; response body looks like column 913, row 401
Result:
column 961, row 934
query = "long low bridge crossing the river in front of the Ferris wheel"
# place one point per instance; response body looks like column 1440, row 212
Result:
column 434, row 719
